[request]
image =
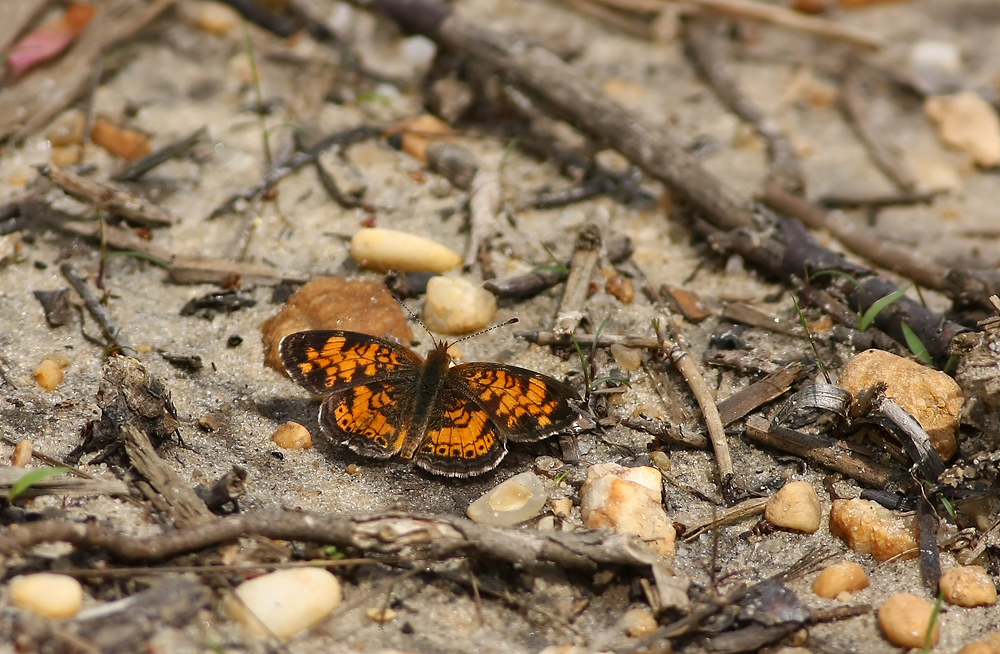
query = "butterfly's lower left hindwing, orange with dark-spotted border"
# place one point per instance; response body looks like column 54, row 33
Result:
column 372, row 418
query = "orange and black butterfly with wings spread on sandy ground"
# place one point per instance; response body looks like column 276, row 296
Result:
column 381, row 400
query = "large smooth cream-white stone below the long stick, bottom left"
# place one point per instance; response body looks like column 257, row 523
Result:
column 285, row 602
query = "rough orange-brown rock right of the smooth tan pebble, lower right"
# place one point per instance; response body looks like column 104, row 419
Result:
column 870, row 528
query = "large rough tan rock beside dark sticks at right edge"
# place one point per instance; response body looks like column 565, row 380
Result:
column 930, row 396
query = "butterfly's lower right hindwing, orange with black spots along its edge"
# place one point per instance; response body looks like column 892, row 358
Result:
column 461, row 439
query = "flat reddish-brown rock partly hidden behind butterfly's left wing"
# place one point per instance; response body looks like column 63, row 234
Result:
column 357, row 305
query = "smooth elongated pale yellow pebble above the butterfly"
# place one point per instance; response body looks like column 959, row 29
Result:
column 387, row 249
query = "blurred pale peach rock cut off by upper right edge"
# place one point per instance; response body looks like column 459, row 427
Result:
column 968, row 123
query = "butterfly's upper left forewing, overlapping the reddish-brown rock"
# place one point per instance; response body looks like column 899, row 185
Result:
column 326, row 361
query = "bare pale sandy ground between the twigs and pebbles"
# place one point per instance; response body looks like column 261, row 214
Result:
column 180, row 78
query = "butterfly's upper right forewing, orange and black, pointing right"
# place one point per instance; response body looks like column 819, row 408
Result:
column 523, row 405
